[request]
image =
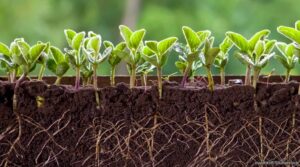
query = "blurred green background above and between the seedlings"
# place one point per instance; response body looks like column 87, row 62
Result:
column 45, row 20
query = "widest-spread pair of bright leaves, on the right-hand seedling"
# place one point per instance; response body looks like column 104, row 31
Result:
column 245, row 45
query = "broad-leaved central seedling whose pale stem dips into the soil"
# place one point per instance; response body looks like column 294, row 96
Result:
column 156, row 53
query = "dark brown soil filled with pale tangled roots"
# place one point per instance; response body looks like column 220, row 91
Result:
column 190, row 126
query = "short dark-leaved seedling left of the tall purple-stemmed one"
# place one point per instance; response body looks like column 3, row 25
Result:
column 58, row 63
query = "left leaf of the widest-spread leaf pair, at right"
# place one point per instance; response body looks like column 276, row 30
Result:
column 238, row 40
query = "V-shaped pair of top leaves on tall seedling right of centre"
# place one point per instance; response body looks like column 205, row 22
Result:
column 194, row 39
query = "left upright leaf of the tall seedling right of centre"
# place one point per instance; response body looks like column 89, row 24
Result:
column 191, row 37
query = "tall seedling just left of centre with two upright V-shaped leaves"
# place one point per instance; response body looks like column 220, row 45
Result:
column 133, row 42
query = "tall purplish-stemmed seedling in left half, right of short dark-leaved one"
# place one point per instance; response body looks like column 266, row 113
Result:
column 76, row 58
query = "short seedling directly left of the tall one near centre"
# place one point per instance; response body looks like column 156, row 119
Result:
column 114, row 57
